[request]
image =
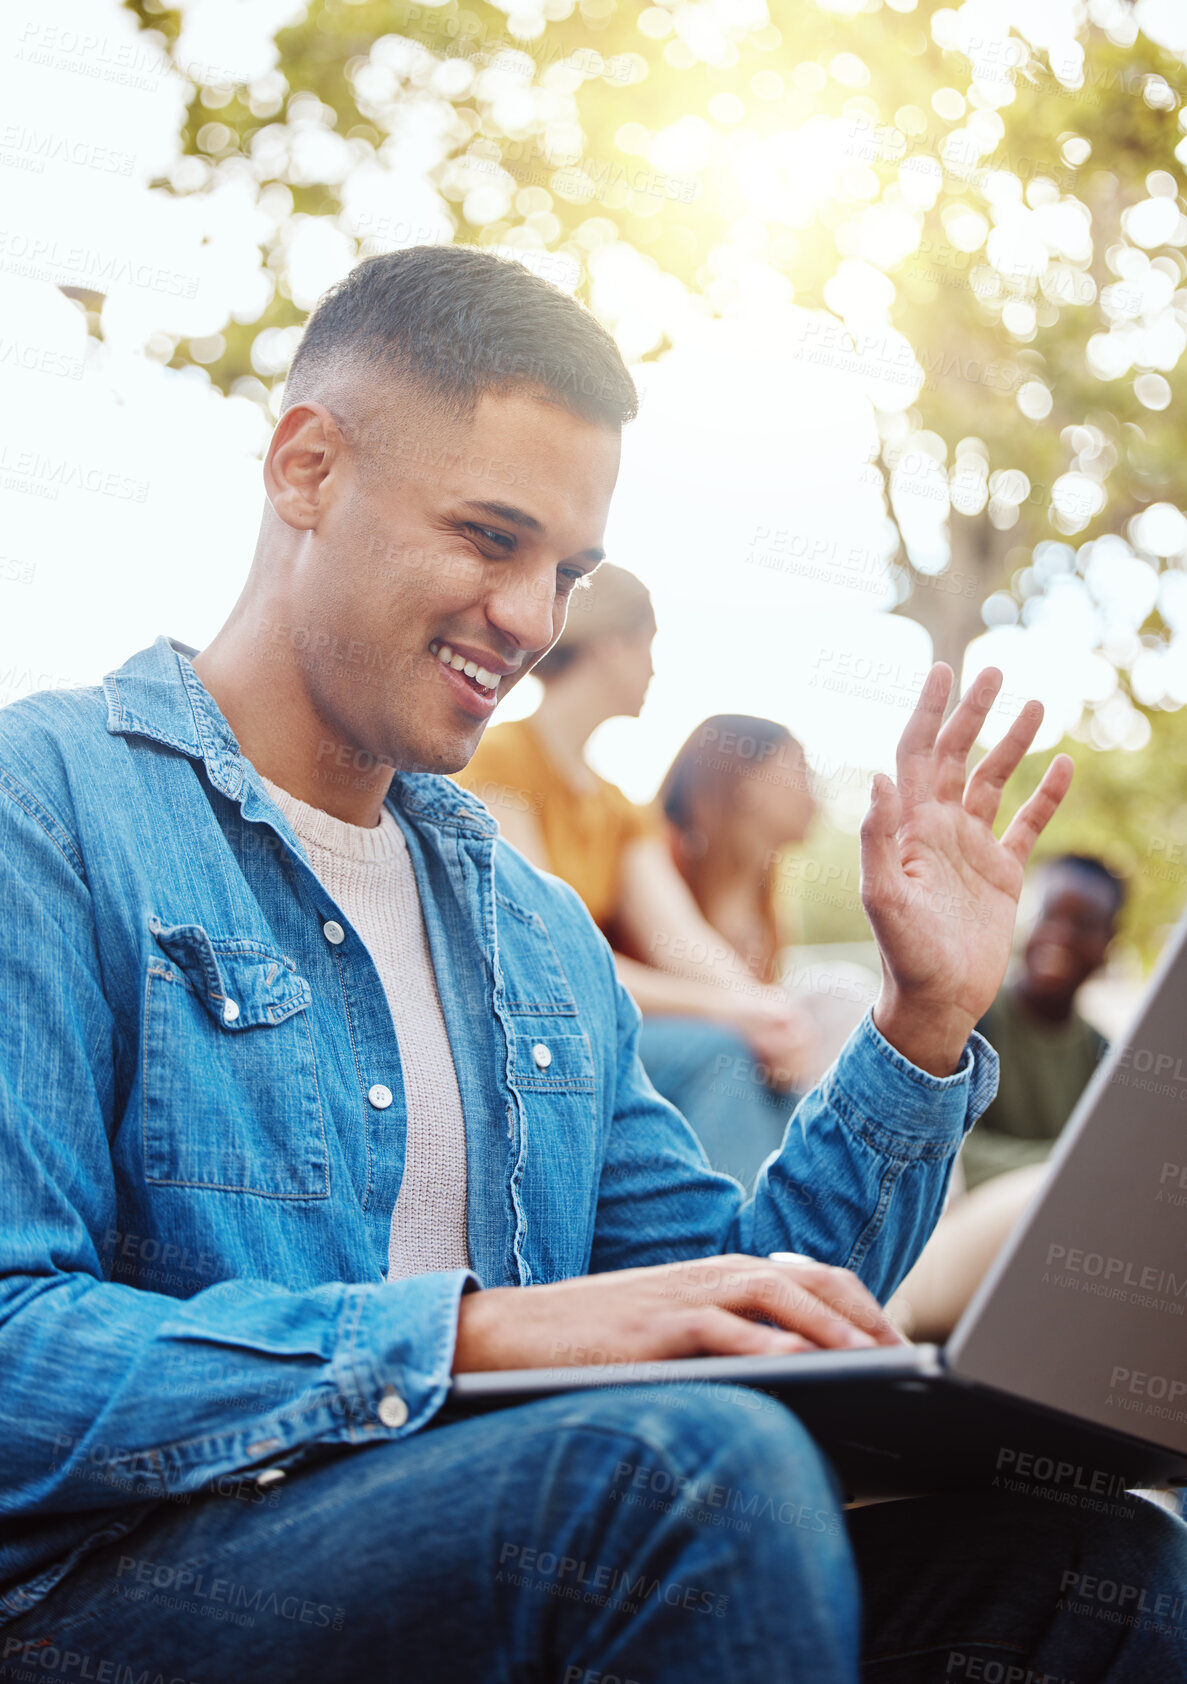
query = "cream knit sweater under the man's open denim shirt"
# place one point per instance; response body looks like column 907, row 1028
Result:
column 370, row 875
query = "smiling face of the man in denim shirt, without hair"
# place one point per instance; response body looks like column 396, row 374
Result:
column 439, row 540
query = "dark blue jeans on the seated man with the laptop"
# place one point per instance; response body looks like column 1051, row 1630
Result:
column 639, row 1535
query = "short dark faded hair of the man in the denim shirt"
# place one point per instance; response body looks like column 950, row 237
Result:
column 459, row 322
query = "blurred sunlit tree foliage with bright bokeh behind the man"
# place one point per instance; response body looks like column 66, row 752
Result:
column 987, row 201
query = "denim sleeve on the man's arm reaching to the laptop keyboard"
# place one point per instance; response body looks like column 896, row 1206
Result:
column 110, row 1394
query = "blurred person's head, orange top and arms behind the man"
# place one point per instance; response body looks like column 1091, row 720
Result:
column 570, row 821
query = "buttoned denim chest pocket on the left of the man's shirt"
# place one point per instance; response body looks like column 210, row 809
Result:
column 232, row 1097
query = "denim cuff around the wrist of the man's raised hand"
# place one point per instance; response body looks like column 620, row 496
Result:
column 905, row 1111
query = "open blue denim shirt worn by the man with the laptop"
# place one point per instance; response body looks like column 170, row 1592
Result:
column 198, row 1190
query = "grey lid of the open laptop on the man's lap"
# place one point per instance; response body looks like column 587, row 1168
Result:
column 1087, row 1306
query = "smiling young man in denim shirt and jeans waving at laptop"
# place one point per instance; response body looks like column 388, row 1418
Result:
column 314, row 1094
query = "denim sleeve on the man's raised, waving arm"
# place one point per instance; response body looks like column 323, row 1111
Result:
column 860, row 1181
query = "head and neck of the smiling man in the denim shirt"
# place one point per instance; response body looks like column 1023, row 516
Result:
column 437, row 498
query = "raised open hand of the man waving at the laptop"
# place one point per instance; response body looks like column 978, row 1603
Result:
column 939, row 888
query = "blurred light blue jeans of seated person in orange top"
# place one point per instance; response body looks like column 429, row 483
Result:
column 713, row 1079
